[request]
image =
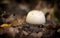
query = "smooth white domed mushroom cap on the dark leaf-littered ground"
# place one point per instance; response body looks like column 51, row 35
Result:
column 35, row 17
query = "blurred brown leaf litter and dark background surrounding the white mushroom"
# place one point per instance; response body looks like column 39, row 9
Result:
column 14, row 12
